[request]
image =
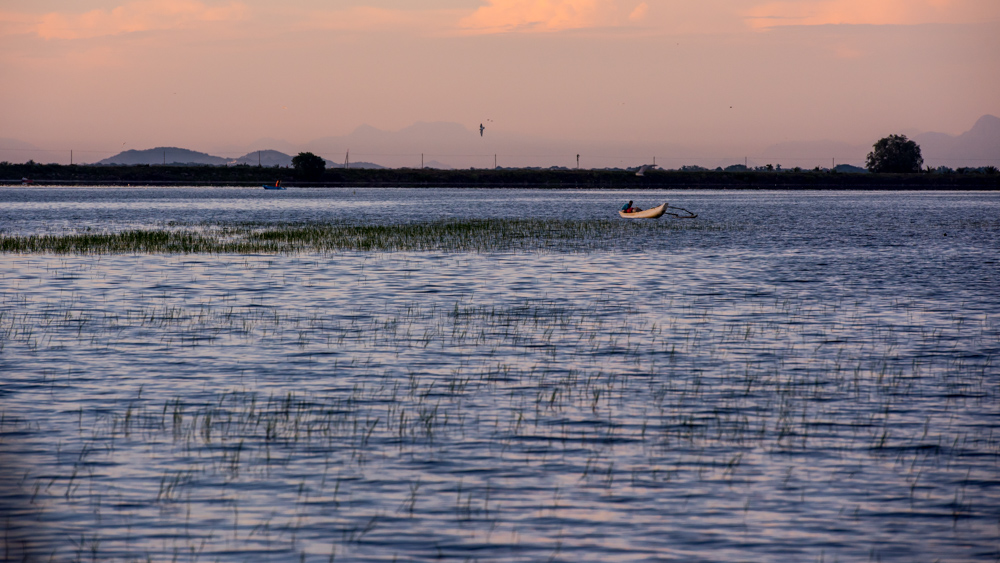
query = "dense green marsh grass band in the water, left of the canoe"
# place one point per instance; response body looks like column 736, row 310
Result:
column 485, row 235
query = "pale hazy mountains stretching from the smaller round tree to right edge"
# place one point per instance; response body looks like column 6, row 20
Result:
column 452, row 145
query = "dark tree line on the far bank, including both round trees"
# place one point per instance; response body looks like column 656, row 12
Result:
column 894, row 162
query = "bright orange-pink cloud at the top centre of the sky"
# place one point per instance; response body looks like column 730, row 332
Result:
column 550, row 15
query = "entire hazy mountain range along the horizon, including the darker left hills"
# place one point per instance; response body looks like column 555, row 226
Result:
column 446, row 145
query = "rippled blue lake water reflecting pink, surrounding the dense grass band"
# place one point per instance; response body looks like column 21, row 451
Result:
column 791, row 376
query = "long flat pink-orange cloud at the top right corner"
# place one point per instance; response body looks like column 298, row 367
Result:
column 871, row 12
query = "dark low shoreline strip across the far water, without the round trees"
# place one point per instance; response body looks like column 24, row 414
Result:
column 247, row 176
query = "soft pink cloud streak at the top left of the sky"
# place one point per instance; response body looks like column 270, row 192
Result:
column 140, row 15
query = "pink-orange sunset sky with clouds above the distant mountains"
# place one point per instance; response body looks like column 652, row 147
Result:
column 706, row 77
